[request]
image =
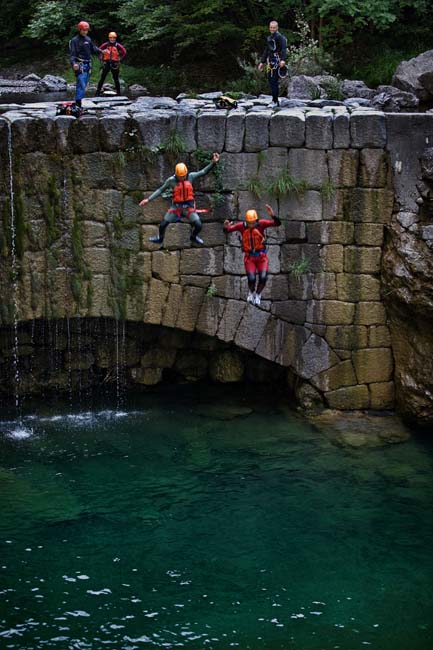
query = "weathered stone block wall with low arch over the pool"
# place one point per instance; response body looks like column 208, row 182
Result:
column 82, row 240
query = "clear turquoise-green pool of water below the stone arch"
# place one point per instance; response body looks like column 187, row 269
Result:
column 163, row 525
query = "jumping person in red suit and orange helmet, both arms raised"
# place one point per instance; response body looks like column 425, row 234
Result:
column 254, row 246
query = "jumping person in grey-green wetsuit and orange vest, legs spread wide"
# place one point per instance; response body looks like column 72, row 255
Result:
column 182, row 202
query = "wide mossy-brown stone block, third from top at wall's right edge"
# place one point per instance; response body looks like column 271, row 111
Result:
column 370, row 205
